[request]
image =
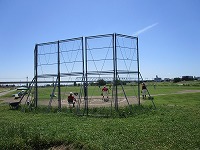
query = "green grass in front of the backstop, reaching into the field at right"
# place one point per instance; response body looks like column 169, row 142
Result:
column 175, row 124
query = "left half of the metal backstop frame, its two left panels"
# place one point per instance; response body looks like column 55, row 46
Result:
column 59, row 74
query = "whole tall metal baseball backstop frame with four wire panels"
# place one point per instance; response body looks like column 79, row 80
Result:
column 86, row 72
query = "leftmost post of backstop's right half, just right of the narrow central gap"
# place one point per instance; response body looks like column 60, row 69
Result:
column 86, row 79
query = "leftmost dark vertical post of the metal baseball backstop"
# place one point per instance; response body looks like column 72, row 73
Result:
column 36, row 74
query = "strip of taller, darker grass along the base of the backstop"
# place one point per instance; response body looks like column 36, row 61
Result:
column 99, row 112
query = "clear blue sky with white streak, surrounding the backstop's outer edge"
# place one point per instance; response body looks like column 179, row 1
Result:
column 168, row 31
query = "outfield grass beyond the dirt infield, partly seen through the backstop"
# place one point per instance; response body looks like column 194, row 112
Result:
column 131, row 90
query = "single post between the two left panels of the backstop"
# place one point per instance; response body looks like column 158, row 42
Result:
column 59, row 91
